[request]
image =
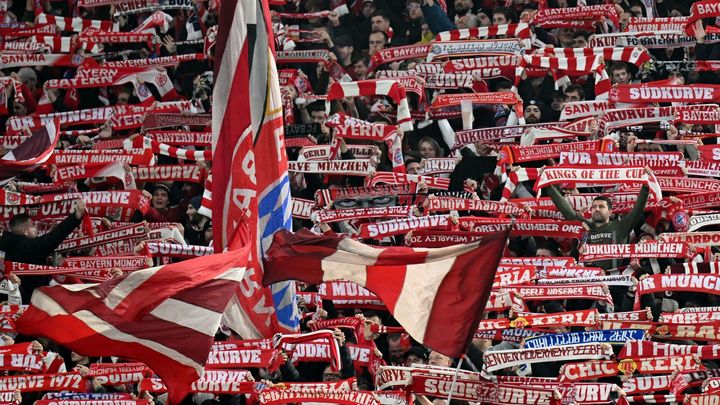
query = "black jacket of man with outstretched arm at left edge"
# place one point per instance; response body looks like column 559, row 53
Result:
column 20, row 248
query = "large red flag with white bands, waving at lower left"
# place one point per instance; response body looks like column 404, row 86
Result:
column 164, row 316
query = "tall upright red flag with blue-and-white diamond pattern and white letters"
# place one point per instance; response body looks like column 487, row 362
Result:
column 250, row 176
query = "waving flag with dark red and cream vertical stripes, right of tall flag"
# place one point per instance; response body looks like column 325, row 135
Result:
column 437, row 295
